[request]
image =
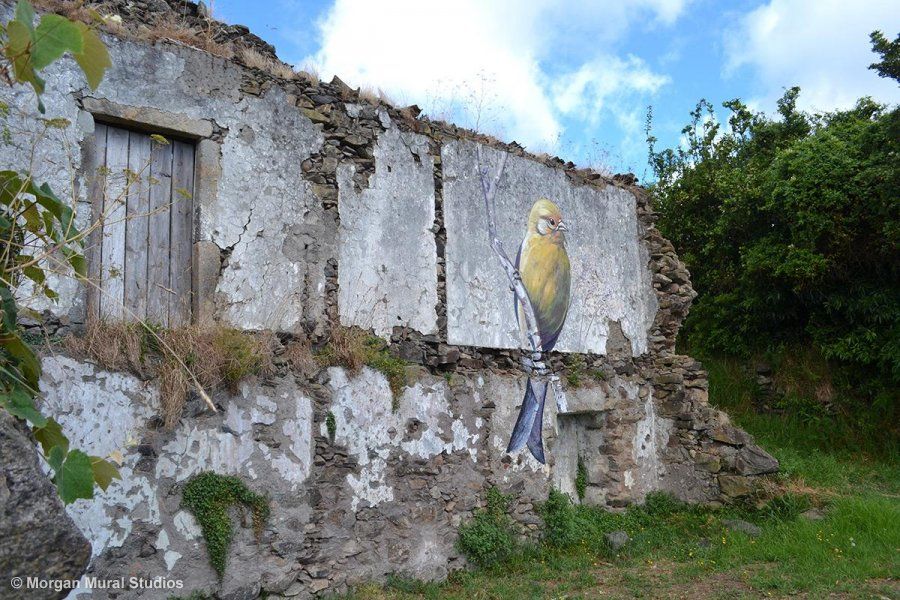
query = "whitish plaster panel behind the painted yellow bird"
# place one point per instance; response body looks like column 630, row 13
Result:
column 611, row 280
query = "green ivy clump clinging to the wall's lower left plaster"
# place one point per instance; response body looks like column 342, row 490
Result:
column 208, row 496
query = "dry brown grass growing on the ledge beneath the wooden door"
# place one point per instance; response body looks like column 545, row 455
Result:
column 218, row 358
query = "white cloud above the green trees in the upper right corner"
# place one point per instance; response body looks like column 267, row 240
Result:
column 821, row 45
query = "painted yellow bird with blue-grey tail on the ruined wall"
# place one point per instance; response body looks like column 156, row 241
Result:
column 543, row 265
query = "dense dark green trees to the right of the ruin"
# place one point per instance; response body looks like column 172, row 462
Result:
column 790, row 228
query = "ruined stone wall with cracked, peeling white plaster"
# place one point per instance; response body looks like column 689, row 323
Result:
column 317, row 208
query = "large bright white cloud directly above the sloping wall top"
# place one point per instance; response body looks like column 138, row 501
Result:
column 483, row 63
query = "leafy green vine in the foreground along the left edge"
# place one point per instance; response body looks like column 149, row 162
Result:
column 36, row 225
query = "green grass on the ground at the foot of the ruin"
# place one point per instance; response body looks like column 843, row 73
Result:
column 684, row 551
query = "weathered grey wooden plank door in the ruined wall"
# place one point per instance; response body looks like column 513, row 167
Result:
column 140, row 256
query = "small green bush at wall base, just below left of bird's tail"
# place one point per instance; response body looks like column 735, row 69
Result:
column 488, row 538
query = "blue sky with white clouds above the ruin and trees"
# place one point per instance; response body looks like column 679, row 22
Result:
column 575, row 78
